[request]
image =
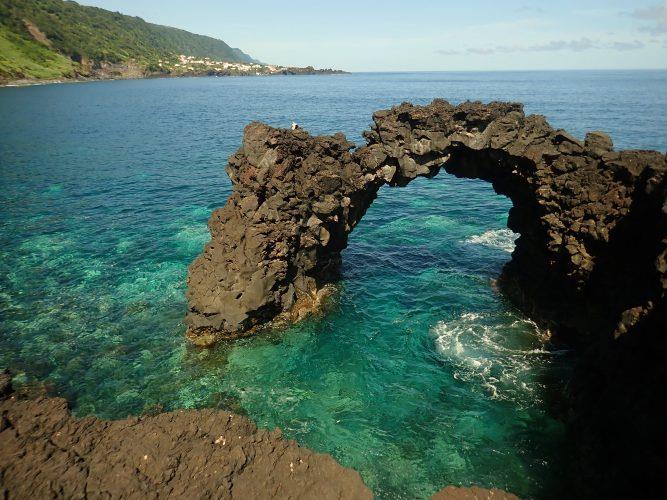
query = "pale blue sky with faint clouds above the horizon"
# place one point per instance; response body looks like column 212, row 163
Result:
column 421, row 35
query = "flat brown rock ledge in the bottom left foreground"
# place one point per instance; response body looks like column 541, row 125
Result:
column 47, row 453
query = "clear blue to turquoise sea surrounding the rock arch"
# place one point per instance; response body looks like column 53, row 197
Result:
column 419, row 376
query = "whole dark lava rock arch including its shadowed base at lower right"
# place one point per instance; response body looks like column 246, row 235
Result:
column 590, row 264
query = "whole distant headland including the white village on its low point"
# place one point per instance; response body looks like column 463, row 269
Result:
column 56, row 41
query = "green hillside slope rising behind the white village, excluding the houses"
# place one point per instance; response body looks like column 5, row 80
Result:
column 54, row 38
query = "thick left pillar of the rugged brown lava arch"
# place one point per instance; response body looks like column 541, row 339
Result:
column 277, row 242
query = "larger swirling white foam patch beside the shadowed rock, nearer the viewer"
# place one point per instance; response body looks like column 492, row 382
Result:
column 501, row 356
